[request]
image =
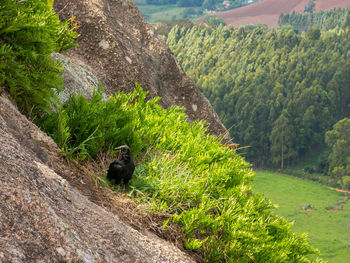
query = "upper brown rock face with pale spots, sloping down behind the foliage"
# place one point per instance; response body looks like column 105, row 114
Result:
column 120, row 48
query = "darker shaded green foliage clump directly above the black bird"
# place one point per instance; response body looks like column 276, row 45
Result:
column 85, row 128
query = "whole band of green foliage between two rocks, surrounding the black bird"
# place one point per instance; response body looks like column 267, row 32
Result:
column 184, row 172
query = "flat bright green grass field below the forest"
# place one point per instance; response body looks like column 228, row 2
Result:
column 327, row 229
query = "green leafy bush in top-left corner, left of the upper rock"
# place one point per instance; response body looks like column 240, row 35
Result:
column 29, row 33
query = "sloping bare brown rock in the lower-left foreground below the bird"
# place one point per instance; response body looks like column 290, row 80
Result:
column 44, row 219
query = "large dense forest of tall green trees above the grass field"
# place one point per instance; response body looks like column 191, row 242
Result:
column 277, row 91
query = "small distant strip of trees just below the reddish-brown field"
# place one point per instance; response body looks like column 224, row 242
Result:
column 324, row 20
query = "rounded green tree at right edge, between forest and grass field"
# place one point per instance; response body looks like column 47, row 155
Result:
column 339, row 160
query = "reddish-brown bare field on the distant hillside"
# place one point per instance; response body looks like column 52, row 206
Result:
column 268, row 11
